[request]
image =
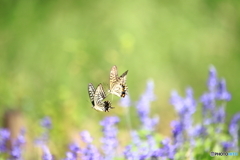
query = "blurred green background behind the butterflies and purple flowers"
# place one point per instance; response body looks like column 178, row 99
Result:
column 51, row 50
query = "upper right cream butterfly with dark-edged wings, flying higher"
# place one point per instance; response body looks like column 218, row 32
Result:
column 118, row 85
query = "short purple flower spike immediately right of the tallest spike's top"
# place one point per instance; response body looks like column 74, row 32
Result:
column 222, row 93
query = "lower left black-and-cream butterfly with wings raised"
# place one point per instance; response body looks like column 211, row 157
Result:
column 97, row 96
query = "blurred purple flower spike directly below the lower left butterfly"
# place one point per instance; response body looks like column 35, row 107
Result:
column 109, row 140
